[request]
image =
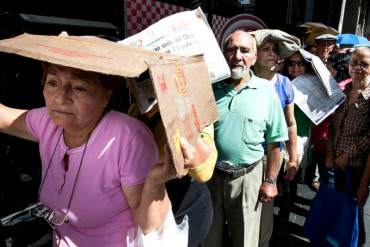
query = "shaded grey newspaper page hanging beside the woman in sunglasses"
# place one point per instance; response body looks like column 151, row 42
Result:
column 311, row 97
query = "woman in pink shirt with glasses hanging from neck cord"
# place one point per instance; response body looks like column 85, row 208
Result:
column 100, row 170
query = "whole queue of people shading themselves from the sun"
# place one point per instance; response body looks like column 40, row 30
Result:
column 93, row 155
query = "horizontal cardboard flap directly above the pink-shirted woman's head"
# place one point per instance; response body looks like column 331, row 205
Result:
column 83, row 52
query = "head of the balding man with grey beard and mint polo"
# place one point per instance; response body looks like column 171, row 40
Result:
column 240, row 54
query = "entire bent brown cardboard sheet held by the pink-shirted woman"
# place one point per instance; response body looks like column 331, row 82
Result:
column 181, row 85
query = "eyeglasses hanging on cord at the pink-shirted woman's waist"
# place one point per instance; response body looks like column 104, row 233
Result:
column 53, row 217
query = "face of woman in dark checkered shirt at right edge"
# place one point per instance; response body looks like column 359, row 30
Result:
column 359, row 65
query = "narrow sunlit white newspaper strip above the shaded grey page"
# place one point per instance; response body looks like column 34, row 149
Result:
column 321, row 71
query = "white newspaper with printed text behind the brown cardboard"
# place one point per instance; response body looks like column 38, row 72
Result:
column 186, row 33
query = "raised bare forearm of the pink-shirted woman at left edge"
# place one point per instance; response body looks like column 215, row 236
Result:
column 13, row 122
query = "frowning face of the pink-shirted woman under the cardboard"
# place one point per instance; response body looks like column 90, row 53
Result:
column 75, row 99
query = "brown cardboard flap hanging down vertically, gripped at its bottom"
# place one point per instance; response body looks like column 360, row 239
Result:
column 185, row 100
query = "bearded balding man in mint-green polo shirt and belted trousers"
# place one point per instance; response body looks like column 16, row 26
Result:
column 250, row 114
